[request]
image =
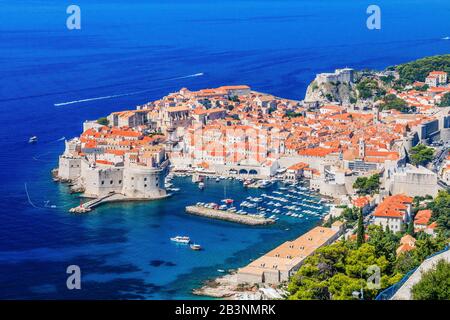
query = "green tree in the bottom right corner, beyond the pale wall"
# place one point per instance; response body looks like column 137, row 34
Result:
column 435, row 283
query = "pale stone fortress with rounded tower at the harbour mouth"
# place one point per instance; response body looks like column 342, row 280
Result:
column 101, row 171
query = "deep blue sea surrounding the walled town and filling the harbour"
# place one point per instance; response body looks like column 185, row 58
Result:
column 138, row 51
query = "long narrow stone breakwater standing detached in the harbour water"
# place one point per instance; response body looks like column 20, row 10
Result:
column 227, row 216
